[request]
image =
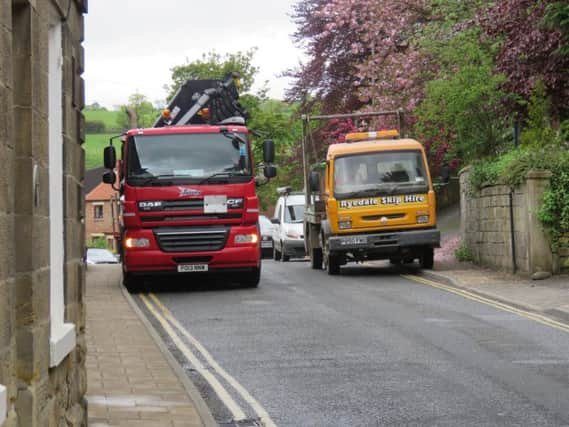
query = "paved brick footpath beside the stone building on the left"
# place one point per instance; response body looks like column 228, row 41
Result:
column 132, row 380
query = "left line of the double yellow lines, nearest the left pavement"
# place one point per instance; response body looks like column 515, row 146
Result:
column 236, row 411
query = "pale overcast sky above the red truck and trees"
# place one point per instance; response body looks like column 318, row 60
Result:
column 131, row 45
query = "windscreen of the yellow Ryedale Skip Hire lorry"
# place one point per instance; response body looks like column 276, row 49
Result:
column 378, row 173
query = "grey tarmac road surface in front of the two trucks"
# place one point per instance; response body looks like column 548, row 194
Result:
column 366, row 348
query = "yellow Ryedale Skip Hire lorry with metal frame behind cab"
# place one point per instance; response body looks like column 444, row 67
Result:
column 371, row 199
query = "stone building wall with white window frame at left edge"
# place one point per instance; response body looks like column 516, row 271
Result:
column 42, row 317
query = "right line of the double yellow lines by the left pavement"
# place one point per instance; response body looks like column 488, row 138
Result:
column 257, row 407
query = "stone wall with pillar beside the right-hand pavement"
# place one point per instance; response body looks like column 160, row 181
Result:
column 487, row 217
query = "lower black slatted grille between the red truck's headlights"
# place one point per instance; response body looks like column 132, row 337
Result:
column 193, row 239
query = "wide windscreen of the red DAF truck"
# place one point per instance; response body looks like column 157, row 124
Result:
column 186, row 157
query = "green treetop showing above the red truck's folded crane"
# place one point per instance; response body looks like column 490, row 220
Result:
column 215, row 66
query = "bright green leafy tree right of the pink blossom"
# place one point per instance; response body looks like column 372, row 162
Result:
column 462, row 111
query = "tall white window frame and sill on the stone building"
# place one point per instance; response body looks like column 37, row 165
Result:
column 62, row 335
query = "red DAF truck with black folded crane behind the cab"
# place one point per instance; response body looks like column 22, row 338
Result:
column 188, row 189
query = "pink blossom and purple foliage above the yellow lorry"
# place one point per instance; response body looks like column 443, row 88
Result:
column 371, row 53
